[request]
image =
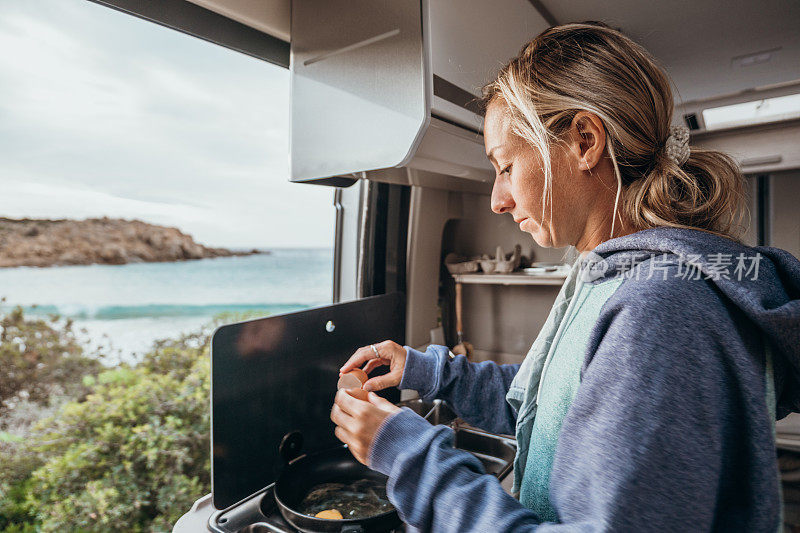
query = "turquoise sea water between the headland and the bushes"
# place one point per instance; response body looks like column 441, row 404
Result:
column 125, row 308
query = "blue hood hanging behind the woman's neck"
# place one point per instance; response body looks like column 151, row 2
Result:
column 763, row 282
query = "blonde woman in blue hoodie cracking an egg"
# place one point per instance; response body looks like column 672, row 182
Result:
column 648, row 400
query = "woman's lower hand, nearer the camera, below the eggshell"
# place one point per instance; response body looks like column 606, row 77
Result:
column 357, row 419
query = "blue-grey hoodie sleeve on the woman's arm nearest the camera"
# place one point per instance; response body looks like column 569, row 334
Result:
column 642, row 448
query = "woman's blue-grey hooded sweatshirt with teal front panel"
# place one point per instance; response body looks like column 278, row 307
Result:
column 647, row 402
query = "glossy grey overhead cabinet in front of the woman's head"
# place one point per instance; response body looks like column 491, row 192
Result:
column 393, row 84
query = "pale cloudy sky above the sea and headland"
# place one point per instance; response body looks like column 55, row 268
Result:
column 104, row 114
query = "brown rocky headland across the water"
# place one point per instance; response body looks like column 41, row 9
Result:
column 108, row 241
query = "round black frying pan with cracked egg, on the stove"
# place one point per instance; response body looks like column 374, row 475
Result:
column 336, row 465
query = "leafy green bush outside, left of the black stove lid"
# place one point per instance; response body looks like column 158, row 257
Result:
column 130, row 453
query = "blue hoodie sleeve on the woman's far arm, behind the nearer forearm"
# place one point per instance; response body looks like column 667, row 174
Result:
column 475, row 391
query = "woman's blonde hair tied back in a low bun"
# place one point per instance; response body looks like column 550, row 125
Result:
column 592, row 67
